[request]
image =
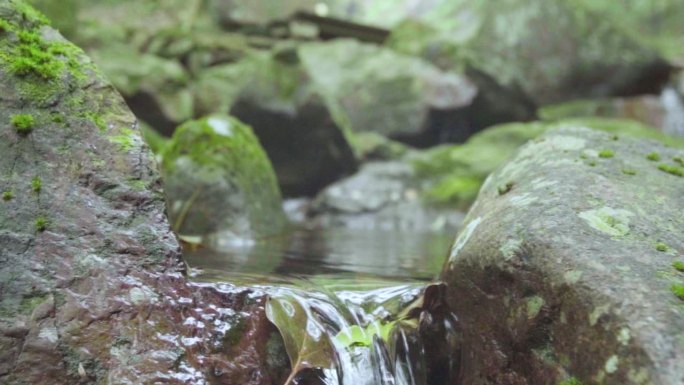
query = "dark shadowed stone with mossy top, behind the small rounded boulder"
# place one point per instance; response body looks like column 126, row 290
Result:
column 298, row 130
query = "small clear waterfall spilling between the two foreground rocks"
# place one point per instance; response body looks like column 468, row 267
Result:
column 372, row 337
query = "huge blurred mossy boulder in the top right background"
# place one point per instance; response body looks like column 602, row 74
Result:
column 553, row 50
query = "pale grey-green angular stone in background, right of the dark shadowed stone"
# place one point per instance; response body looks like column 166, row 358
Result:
column 374, row 89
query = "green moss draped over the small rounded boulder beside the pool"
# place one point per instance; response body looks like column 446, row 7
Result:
column 220, row 147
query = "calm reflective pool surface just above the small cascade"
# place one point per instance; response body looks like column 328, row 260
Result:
column 339, row 251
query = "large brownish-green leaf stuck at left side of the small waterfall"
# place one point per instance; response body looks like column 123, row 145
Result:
column 306, row 341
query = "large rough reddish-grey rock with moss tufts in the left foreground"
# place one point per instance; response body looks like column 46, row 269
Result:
column 92, row 287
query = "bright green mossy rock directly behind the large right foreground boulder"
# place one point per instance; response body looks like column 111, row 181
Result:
column 452, row 173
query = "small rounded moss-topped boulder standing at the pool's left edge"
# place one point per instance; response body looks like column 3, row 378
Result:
column 219, row 181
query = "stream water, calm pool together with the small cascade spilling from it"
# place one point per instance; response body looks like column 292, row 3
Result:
column 353, row 307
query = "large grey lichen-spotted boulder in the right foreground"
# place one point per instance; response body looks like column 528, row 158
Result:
column 569, row 266
